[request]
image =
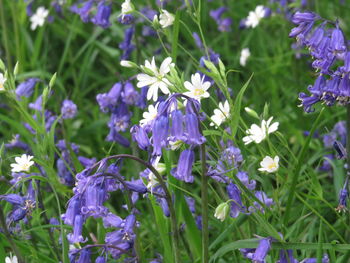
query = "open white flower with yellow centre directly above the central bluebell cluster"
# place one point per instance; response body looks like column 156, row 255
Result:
column 198, row 88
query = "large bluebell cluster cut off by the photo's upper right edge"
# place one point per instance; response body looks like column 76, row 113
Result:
column 328, row 47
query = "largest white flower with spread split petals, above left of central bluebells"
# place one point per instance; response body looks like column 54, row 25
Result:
column 157, row 80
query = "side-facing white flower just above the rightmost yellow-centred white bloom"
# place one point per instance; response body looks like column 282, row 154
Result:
column 258, row 134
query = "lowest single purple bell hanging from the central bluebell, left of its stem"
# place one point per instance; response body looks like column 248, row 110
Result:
column 183, row 171
